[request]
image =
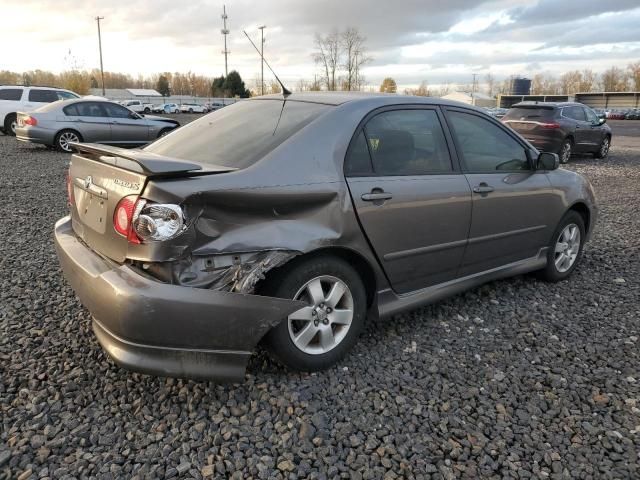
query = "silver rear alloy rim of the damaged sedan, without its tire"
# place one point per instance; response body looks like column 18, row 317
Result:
column 324, row 323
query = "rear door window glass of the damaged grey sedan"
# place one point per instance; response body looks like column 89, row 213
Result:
column 407, row 142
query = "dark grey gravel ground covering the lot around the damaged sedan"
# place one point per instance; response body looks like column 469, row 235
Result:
column 516, row 379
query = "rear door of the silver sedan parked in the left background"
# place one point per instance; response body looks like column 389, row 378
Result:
column 89, row 119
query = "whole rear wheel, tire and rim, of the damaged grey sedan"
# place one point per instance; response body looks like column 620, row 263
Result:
column 317, row 336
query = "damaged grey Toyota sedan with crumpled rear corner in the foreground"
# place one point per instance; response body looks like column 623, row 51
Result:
column 288, row 222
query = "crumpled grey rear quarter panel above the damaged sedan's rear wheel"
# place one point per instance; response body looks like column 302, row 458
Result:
column 295, row 199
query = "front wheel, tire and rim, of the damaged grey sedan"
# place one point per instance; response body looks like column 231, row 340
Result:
column 565, row 249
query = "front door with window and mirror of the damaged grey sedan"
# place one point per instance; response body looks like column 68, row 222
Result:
column 511, row 201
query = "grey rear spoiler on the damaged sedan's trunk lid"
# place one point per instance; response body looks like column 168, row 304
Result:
column 144, row 162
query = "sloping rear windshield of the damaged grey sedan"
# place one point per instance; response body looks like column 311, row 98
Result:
column 238, row 135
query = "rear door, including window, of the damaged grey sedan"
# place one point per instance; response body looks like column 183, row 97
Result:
column 413, row 203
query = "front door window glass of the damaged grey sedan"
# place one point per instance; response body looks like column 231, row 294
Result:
column 485, row 147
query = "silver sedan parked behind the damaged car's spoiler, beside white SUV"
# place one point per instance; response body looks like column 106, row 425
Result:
column 60, row 124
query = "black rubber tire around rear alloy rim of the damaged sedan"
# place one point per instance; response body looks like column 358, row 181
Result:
column 286, row 283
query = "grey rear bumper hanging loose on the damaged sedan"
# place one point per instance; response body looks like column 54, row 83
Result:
column 162, row 329
